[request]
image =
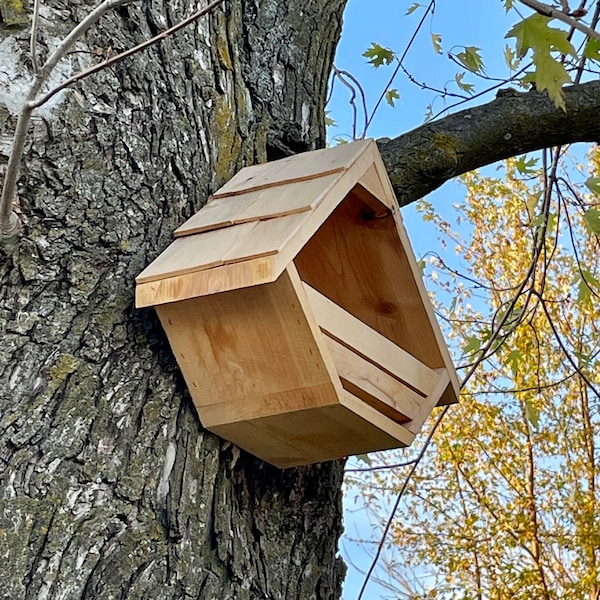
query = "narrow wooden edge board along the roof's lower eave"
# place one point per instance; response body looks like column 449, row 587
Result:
column 202, row 283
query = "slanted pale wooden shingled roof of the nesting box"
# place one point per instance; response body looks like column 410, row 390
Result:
column 257, row 222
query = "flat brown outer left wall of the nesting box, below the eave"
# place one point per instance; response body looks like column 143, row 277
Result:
column 246, row 345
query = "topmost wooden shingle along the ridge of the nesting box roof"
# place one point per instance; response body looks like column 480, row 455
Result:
column 299, row 167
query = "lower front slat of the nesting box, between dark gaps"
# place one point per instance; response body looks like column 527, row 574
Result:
column 376, row 387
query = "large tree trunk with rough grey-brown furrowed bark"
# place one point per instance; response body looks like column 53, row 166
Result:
column 110, row 486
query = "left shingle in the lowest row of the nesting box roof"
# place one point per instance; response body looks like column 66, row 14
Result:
column 194, row 253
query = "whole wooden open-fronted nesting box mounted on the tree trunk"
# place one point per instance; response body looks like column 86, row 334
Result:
column 296, row 311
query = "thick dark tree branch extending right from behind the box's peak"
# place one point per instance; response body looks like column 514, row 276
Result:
column 421, row 160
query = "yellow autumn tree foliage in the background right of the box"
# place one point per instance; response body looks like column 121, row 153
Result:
column 507, row 506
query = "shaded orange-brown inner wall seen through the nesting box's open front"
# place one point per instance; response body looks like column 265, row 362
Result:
column 361, row 265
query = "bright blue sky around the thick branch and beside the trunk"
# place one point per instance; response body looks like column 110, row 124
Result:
column 460, row 23
